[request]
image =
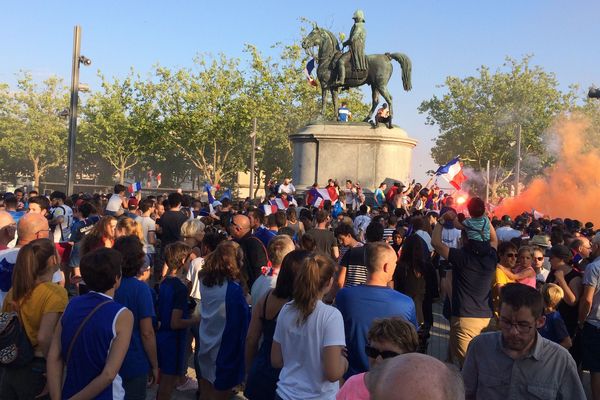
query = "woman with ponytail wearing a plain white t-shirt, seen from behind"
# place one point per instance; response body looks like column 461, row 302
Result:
column 309, row 338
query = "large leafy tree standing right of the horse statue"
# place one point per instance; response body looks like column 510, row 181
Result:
column 479, row 115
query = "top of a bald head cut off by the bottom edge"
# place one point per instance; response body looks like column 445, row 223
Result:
column 415, row 376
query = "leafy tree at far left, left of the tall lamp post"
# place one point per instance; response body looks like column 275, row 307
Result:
column 30, row 129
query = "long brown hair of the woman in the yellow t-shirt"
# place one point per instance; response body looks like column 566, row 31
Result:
column 34, row 260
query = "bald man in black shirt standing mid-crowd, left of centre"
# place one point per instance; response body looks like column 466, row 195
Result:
column 255, row 254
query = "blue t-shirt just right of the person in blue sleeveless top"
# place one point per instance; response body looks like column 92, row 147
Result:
column 136, row 296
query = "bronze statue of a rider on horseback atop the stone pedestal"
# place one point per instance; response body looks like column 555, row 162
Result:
column 337, row 70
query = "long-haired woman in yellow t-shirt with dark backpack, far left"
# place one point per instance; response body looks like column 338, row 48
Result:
column 39, row 303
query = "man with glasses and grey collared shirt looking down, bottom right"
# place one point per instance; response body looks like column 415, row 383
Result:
column 517, row 362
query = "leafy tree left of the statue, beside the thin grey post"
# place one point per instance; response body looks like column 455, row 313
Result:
column 203, row 118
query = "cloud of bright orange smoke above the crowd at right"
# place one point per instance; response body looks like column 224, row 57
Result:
column 571, row 187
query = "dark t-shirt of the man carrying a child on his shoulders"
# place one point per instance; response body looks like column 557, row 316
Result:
column 472, row 277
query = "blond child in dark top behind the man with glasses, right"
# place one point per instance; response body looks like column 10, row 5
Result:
column 554, row 328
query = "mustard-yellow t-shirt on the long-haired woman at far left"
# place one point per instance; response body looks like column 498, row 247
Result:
column 47, row 297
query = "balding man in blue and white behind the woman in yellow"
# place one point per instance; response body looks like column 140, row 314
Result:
column 30, row 227
